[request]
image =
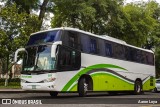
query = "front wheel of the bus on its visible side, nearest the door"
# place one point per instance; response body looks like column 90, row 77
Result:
column 82, row 87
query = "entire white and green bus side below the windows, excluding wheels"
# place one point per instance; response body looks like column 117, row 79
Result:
column 108, row 74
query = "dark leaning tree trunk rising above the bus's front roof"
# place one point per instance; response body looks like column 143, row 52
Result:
column 42, row 12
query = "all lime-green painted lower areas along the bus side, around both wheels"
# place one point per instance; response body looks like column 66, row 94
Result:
column 114, row 82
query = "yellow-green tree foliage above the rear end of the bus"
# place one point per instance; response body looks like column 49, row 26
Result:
column 140, row 24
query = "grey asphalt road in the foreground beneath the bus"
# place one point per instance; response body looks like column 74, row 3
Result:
column 148, row 99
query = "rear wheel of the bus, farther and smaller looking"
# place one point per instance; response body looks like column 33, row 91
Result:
column 138, row 87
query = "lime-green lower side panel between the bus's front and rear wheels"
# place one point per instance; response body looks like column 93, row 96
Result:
column 108, row 82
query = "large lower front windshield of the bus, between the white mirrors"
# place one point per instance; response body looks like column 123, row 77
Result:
column 38, row 58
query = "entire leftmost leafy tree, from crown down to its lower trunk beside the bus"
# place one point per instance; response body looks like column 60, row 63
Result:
column 14, row 31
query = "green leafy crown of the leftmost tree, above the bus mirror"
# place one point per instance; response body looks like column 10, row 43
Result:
column 16, row 26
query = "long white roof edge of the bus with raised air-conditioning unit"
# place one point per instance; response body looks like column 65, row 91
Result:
column 105, row 37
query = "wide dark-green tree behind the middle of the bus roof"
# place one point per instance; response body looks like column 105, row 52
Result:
column 88, row 15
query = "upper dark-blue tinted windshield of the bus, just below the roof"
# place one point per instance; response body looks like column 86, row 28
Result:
column 44, row 37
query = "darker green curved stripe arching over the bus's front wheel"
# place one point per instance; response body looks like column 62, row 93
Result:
column 84, row 71
